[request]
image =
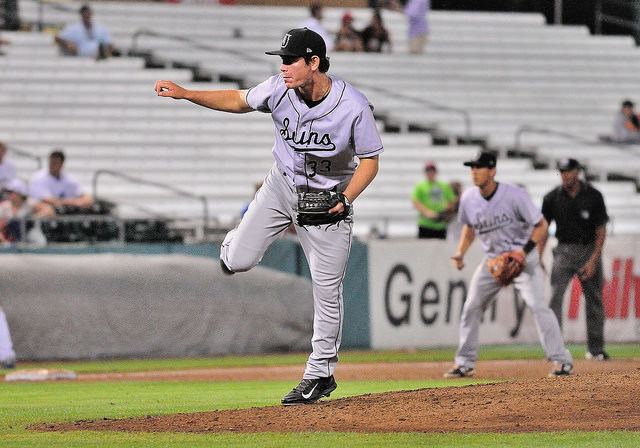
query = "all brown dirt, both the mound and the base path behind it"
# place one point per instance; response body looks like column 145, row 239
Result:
column 601, row 396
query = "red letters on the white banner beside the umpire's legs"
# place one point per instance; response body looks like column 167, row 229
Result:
column 616, row 293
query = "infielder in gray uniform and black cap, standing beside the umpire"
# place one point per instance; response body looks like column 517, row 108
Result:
column 504, row 219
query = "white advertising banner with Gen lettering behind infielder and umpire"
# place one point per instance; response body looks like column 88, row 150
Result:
column 416, row 296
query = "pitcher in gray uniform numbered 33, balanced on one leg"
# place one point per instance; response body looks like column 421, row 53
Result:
column 325, row 140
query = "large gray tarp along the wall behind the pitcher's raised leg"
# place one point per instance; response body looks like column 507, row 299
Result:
column 88, row 306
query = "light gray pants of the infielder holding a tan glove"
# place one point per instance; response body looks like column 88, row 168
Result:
column 530, row 286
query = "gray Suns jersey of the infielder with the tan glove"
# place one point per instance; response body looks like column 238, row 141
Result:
column 504, row 222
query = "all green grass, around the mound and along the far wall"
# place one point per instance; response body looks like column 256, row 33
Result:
column 22, row 404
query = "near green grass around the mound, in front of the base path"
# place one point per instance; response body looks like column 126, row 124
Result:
column 24, row 403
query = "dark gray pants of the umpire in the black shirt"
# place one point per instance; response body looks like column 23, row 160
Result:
column 568, row 259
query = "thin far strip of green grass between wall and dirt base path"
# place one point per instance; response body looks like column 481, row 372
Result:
column 490, row 352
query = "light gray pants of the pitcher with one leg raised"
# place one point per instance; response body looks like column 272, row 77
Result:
column 326, row 248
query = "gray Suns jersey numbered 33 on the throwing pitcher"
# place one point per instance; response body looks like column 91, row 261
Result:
column 316, row 147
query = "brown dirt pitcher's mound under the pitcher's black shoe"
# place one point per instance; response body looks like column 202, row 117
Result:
column 591, row 402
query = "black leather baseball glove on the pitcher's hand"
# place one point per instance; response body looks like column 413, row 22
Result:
column 313, row 208
